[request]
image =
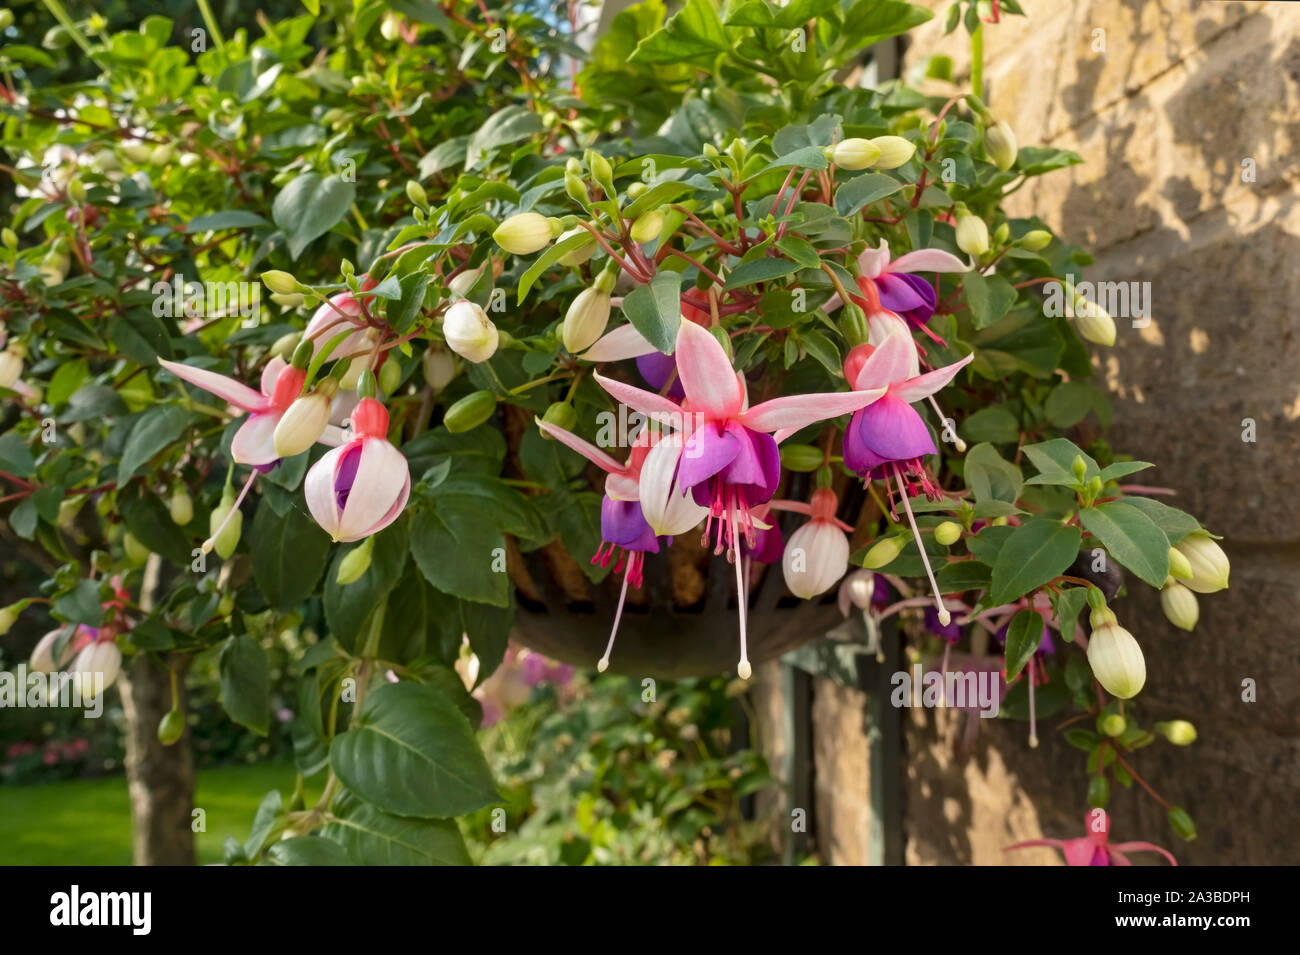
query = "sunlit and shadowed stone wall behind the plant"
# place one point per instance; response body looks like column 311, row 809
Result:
column 1165, row 105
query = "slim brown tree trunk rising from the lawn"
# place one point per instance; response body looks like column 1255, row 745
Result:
column 161, row 778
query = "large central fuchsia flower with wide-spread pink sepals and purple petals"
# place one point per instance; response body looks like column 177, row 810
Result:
column 730, row 462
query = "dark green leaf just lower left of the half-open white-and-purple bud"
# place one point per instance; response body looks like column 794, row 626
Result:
column 289, row 554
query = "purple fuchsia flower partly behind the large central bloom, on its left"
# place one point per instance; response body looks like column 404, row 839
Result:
column 627, row 531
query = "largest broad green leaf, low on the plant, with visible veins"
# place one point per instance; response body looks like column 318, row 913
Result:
column 413, row 753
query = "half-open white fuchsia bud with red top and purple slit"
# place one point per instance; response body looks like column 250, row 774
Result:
column 359, row 488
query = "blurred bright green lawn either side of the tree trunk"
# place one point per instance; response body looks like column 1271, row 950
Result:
column 89, row 822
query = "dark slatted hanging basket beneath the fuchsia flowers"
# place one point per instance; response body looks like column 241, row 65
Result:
column 683, row 622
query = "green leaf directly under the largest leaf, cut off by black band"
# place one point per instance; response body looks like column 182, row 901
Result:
column 371, row 837
